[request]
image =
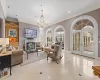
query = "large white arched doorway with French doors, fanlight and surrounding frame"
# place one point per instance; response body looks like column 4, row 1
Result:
column 84, row 37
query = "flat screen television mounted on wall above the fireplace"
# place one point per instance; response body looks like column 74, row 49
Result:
column 30, row 33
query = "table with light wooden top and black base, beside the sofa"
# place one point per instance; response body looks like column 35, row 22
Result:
column 5, row 60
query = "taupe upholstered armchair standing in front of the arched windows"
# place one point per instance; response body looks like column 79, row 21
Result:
column 55, row 53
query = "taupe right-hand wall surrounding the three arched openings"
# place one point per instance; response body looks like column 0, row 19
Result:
column 67, row 25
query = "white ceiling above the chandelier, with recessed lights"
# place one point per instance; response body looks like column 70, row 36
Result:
column 29, row 11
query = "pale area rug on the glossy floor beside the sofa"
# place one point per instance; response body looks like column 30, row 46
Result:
column 32, row 57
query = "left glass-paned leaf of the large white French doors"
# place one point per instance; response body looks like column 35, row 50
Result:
column 76, row 42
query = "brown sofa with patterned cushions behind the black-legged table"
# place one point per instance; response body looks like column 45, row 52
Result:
column 17, row 54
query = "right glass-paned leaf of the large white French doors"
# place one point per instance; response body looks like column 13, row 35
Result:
column 87, row 43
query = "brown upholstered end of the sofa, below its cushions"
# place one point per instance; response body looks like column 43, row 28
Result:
column 17, row 57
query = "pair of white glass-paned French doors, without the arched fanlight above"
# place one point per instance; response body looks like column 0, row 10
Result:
column 83, row 43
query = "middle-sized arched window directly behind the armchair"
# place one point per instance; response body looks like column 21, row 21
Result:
column 59, row 35
